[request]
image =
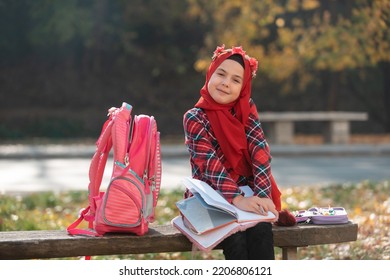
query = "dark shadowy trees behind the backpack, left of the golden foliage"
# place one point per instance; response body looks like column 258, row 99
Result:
column 85, row 56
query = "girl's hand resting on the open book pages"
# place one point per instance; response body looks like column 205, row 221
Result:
column 256, row 204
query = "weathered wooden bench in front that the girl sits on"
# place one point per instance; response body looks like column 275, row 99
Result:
column 58, row 244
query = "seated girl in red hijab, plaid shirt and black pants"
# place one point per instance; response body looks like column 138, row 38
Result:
column 228, row 149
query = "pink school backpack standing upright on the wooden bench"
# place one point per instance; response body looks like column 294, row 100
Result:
column 129, row 202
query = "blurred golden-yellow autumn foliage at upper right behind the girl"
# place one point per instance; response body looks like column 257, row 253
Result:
column 302, row 43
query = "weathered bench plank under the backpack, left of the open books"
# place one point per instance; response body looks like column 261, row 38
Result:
column 55, row 244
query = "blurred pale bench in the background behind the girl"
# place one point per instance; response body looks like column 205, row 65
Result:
column 336, row 131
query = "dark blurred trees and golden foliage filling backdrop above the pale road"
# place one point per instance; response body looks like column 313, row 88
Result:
column 64, row 63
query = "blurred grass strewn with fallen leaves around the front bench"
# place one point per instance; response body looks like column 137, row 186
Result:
column 367, row 203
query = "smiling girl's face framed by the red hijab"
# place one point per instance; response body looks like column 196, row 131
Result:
column 226, row 82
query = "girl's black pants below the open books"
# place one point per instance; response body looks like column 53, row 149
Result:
column 256, row 243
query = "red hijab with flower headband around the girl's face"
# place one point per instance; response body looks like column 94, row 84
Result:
column 230, row 130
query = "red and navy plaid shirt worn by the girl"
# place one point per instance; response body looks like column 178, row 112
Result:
column 207, row 159
